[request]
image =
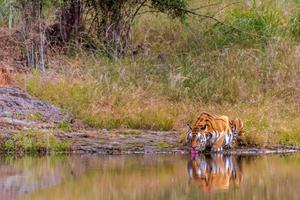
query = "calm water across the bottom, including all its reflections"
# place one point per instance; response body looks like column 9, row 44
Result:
column 150, row 177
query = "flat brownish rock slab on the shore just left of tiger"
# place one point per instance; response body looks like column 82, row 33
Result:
column 101, row 142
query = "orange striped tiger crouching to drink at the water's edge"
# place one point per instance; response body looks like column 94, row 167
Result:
column 210, row 131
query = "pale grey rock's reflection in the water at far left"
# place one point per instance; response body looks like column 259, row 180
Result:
column 26, row 175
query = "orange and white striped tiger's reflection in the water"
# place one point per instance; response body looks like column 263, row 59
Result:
column 215, row 172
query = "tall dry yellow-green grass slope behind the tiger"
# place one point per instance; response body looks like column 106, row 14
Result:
column 249, row 68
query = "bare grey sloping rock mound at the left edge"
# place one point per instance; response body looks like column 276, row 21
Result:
column 19, row 109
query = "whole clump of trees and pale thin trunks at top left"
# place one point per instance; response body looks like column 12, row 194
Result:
column 109, row 21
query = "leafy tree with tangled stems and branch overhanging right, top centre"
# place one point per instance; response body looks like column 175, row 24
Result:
column 113, row 19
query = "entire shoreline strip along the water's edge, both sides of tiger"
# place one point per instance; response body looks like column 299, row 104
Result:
column 121, row 142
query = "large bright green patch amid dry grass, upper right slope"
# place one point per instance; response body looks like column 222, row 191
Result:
column 248, row 28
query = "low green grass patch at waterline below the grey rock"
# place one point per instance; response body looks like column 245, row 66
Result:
column 34, row 141
